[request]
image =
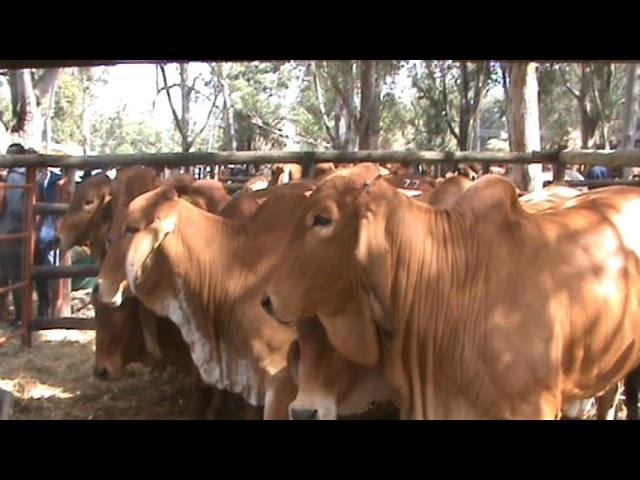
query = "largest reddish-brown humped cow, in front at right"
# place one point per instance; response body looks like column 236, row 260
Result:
column 460, row 328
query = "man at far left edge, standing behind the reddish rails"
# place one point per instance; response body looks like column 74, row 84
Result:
column 12, row 221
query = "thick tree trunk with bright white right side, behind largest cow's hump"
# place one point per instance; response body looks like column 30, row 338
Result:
column 524, row 124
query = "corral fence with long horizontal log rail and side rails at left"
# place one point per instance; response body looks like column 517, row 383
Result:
column 206, row 162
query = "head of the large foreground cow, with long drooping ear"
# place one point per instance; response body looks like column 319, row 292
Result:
column 334, row 267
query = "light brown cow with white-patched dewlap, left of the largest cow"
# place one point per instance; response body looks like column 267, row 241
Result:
column 210, row 285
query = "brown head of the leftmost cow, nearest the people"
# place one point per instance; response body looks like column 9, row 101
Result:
column 89, row 206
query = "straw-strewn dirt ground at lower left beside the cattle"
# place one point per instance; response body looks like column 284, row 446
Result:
column 54, row 380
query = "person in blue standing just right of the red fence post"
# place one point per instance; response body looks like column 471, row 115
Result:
column 46, row 239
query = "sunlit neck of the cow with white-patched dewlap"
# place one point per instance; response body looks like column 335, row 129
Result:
column 209, row 284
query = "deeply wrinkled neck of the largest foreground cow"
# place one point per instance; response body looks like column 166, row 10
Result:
column 433, row 253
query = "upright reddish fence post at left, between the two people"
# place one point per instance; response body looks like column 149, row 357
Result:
column 27, row 255
